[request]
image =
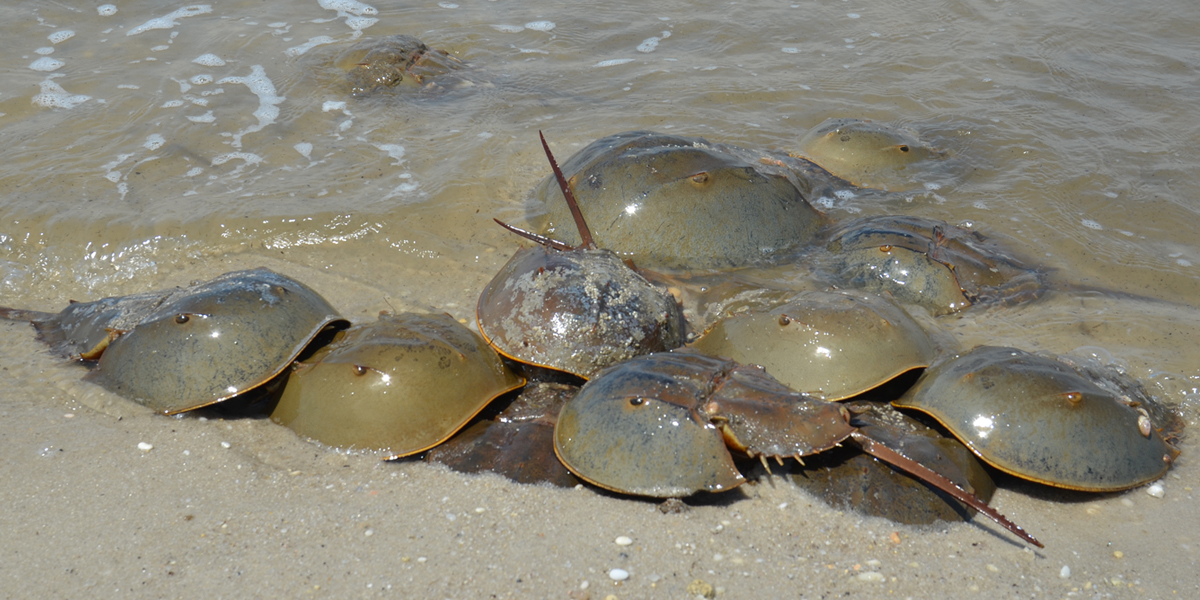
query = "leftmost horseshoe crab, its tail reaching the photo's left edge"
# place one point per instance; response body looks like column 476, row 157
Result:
column 185, row 349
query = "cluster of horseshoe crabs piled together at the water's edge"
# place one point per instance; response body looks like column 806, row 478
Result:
column 797, row 377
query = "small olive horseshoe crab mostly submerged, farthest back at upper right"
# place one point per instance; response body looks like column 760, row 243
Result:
column 867, row 154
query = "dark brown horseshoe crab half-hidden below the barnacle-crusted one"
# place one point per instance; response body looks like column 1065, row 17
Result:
column 518, row 445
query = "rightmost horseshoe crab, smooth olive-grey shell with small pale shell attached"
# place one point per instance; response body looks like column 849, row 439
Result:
column 1040, row 419
